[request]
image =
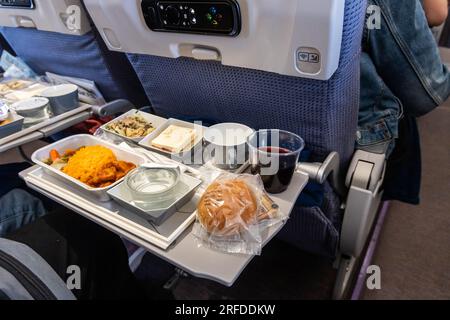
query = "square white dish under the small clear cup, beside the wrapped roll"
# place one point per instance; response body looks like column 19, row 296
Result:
column 158, row 212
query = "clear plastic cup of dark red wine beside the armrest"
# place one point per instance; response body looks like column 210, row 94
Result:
column 274, row 155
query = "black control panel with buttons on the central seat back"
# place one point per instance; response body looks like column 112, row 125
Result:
column 202, row 17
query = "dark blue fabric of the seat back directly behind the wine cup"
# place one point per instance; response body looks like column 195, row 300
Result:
column 324, row 113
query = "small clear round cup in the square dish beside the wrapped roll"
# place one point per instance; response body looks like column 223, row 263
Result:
column 150, row 183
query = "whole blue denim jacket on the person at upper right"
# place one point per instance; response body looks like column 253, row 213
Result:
column 401, row 72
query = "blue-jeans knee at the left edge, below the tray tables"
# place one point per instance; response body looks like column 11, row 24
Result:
column 18, row 208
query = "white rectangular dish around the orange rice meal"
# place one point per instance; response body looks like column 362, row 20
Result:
column 75, row 142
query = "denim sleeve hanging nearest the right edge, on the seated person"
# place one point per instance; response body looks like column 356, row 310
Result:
column 407, row 57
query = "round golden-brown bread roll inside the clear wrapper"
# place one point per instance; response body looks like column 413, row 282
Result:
column 227, row 207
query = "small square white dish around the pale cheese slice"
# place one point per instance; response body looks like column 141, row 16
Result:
column 187, row 154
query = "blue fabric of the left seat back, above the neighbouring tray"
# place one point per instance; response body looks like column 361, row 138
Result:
column 78, row 56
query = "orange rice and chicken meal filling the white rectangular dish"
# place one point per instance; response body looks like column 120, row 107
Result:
column 96, row 166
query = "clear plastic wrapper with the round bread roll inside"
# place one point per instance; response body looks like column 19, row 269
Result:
column 233, row 214
